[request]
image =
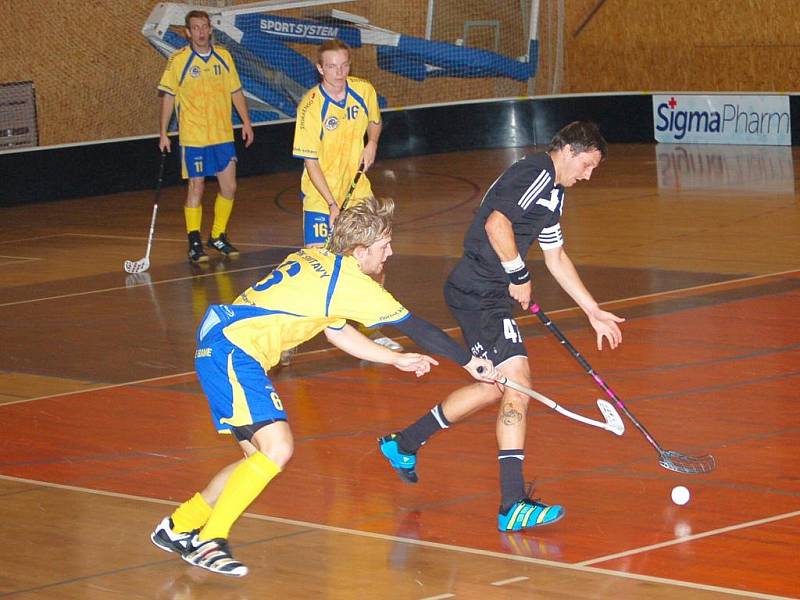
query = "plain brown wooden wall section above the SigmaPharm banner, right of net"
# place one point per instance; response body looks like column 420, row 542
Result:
column 682, row 45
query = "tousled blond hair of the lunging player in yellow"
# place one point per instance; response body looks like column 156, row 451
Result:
column 362, row 225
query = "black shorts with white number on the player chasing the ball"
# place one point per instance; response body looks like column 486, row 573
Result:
column 486, row 321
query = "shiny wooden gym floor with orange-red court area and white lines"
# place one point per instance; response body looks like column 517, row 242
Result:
column 105, row 429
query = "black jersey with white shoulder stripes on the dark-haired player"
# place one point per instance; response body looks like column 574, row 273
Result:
column 527, row 195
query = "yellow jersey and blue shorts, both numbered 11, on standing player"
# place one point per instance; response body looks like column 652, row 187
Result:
column 202, row 87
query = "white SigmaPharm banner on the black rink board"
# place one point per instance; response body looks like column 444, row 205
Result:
column 720, row 119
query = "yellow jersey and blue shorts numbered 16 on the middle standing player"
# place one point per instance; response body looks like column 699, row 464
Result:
column 332, row 132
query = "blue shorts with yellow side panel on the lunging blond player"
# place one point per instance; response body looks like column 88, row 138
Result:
column 238, row 389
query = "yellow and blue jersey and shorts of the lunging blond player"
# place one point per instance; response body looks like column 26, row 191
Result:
column 237, row 343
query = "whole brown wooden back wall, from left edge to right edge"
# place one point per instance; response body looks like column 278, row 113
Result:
column 95, row 74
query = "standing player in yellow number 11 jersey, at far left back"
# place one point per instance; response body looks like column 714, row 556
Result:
column 200, row 82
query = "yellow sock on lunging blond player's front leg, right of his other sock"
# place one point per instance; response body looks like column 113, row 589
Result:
column 246, row 482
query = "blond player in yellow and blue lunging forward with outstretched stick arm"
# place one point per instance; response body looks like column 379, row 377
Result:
column 312, row 290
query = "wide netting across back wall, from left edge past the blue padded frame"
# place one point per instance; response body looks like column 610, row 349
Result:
column 415, row 52
